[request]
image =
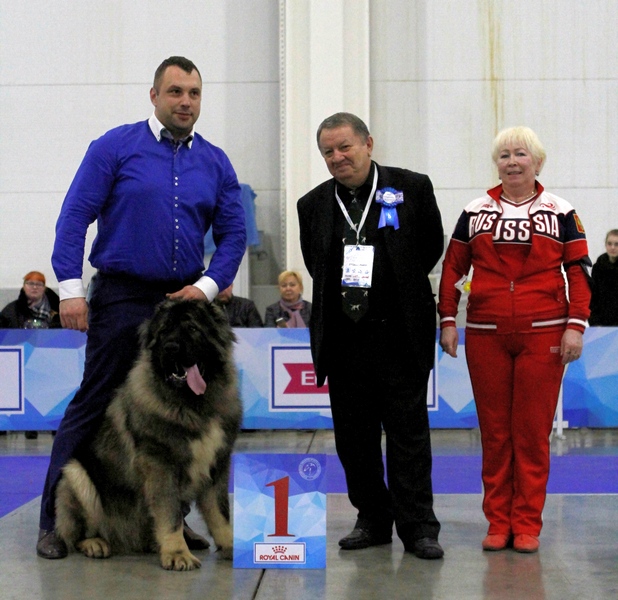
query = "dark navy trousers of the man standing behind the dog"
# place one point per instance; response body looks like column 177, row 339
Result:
column 118, row 306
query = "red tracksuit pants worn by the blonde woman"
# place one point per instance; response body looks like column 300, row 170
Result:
column 516, row 380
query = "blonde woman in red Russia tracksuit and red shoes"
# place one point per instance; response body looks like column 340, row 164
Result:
column 521, row 328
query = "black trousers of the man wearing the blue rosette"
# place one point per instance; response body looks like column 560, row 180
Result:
column 375, row 385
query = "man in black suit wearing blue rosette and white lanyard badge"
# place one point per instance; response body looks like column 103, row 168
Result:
column 370, row 237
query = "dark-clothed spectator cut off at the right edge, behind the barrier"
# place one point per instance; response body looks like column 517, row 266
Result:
column 604, row 303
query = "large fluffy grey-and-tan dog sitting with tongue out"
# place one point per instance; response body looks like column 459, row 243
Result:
column 166, row 441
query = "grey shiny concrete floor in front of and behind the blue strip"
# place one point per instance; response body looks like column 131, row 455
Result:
column 578, row 558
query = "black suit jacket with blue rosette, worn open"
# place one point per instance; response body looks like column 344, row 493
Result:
column 413, row 250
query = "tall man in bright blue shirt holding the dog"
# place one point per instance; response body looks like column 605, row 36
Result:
column 154, row 188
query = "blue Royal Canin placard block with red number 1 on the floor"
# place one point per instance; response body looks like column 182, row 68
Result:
column 280, row 511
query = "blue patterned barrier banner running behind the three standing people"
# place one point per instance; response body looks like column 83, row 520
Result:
column 40, row 370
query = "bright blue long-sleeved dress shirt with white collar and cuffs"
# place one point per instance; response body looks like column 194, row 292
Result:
column 153, row 203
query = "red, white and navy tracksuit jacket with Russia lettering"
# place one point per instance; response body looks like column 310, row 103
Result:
column 538, row 292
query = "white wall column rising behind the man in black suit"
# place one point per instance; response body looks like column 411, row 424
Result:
column 324, row 59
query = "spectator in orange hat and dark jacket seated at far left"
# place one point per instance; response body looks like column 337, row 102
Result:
column 35, row 308
